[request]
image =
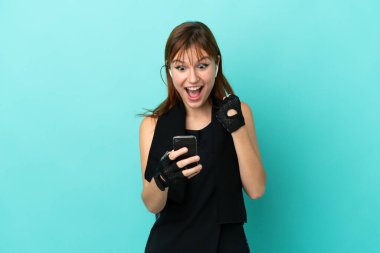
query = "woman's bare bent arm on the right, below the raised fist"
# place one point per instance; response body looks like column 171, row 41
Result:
column 252, row 172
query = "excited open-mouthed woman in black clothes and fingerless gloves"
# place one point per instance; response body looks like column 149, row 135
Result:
column 199, row 208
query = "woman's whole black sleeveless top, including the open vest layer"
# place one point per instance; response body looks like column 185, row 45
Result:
column 195, row 209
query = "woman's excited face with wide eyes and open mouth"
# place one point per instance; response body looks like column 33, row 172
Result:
column 193, row 78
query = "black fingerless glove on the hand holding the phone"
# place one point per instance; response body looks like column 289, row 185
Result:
column 167, row 172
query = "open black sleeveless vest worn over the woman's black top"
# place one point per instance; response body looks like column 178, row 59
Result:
column 221, row 152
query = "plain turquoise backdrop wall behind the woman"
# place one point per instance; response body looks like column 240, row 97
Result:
column 74, row 74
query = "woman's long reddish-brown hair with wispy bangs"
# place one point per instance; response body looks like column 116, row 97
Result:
column 182, row 38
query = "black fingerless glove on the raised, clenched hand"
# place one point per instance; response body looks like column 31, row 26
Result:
column 231, row 123
